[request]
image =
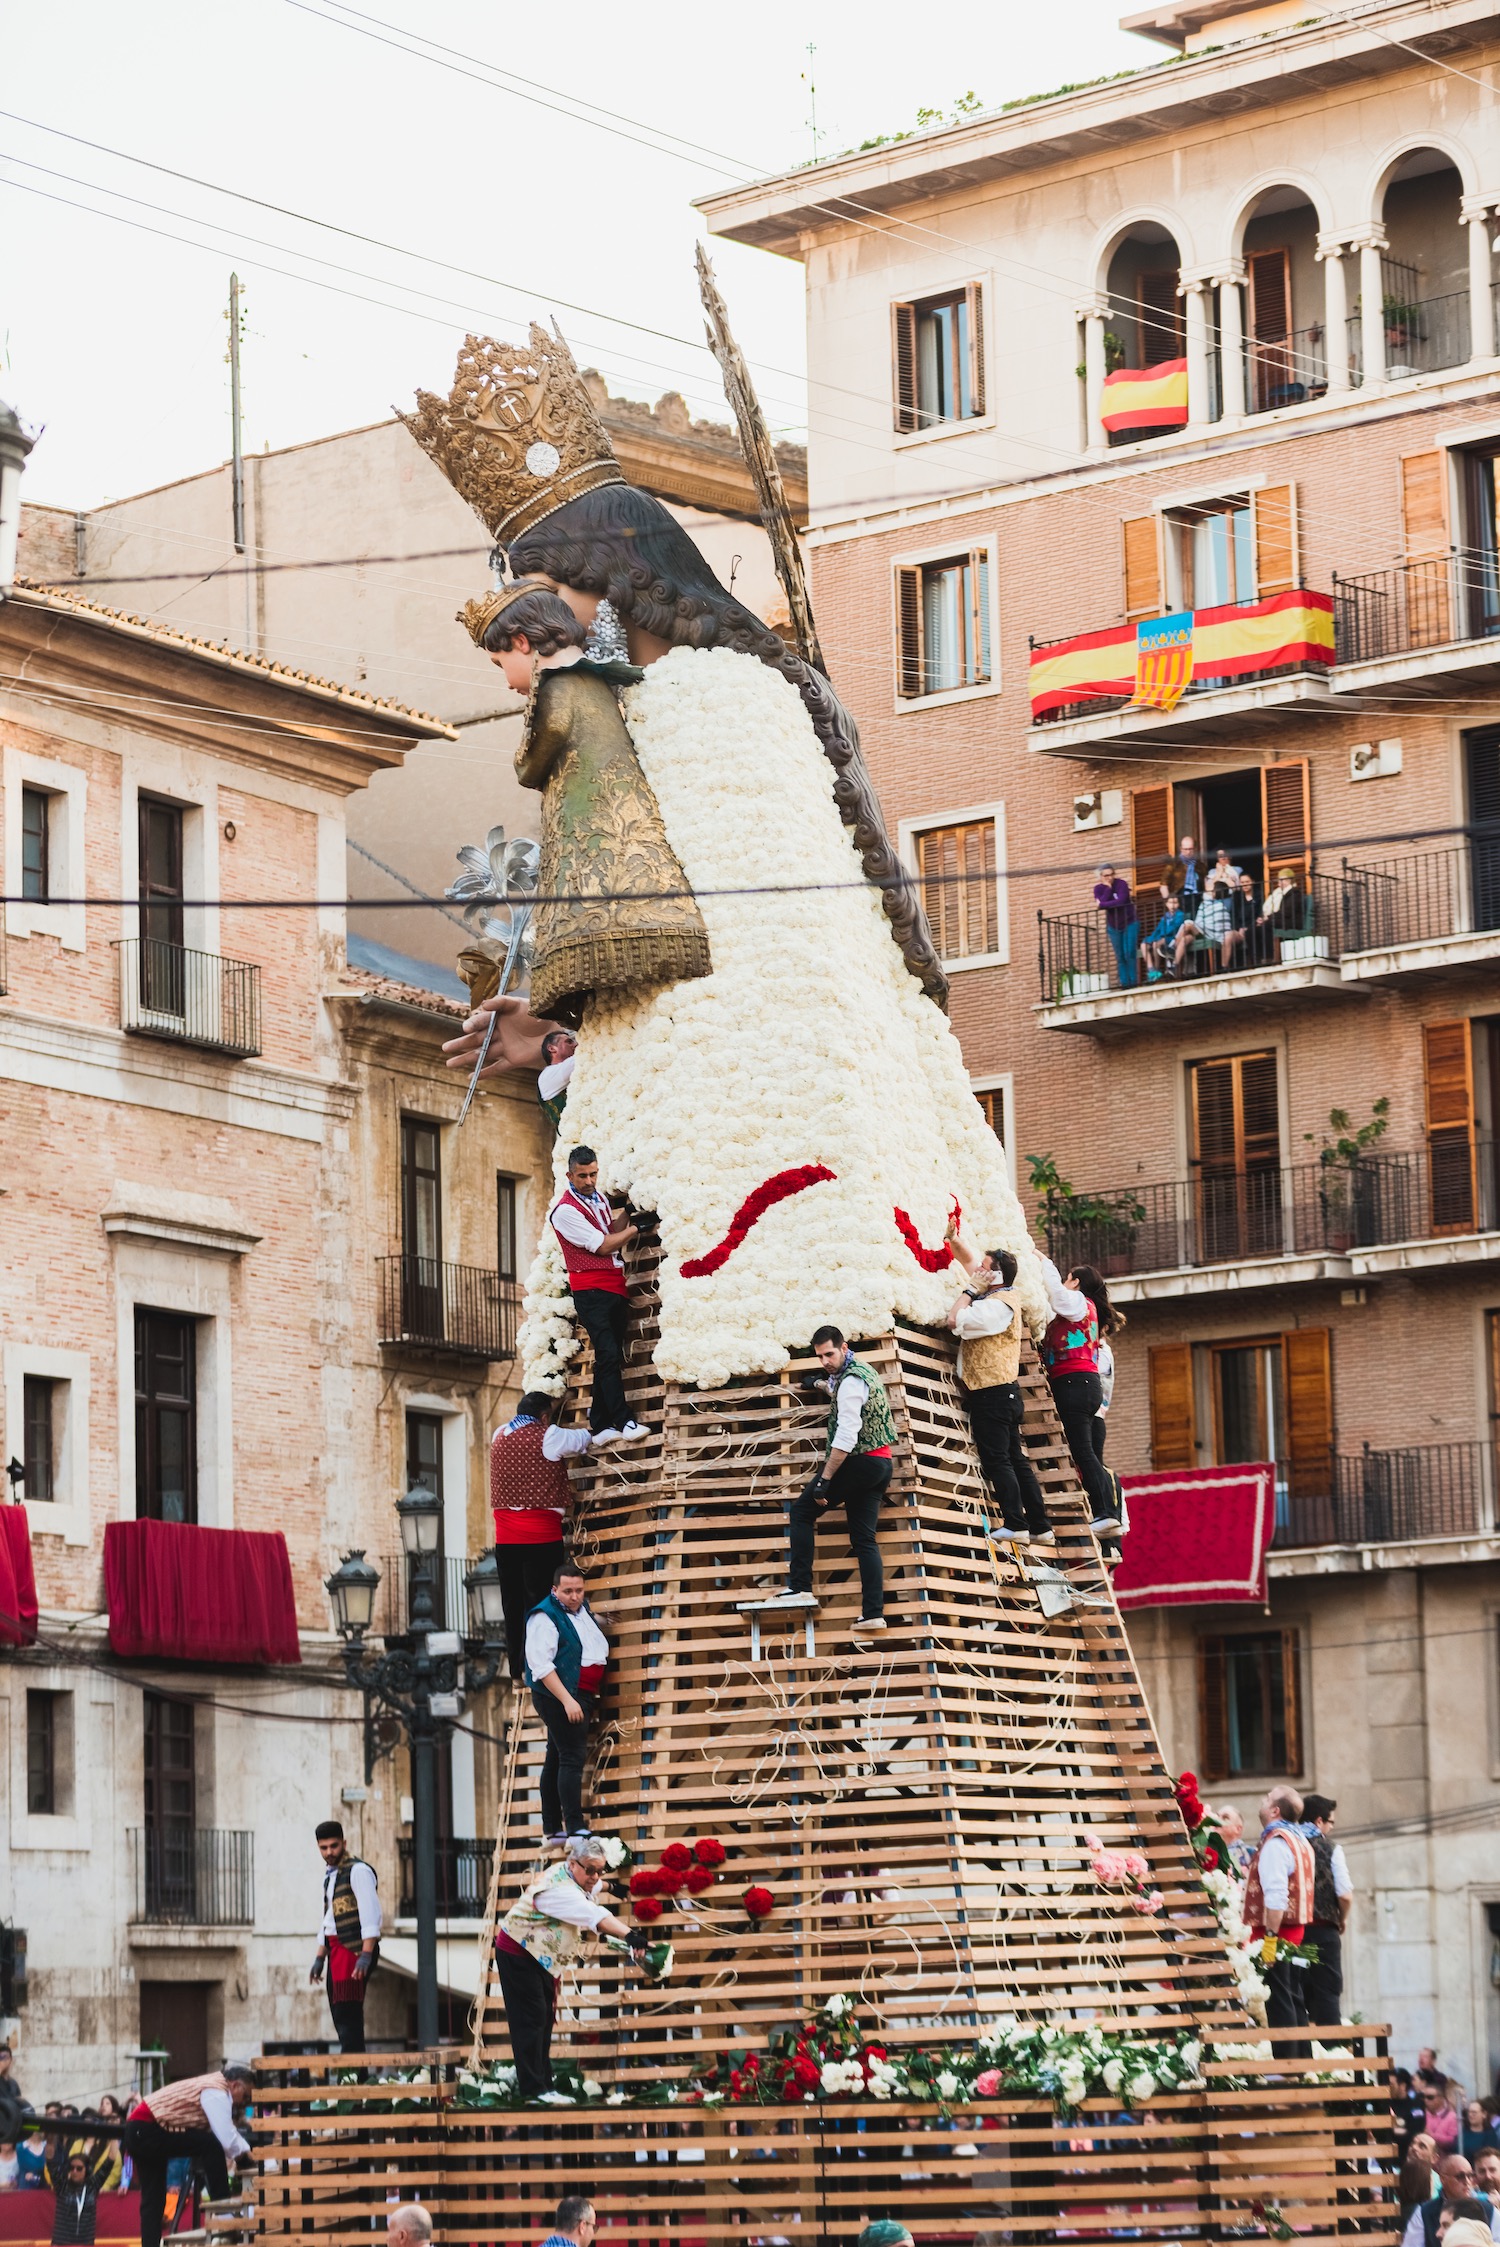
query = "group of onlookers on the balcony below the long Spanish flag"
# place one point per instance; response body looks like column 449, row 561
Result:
column 1202, row 920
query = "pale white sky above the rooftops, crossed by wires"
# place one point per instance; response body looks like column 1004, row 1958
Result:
column 116, row 338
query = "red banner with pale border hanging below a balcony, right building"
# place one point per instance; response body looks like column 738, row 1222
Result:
column 1198, row 1536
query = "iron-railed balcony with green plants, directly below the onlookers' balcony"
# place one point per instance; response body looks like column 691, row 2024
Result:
column 1274, row 1223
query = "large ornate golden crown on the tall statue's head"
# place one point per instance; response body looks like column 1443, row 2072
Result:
column 518, row 435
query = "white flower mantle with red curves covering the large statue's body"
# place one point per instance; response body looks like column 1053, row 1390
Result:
column 776, row 1073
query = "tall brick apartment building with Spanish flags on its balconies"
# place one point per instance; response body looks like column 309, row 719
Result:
column 1153, row 495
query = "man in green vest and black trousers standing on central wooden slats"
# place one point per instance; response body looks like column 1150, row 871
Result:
column 854, row 1475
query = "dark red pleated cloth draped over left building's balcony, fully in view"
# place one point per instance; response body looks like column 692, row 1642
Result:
column 199, row 1596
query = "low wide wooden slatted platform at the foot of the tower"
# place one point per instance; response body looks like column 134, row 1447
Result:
column 1234, row 2160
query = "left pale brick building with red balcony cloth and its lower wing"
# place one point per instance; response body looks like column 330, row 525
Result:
column 255, row 1286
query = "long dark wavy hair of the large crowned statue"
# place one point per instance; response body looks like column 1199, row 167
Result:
column 630, row 549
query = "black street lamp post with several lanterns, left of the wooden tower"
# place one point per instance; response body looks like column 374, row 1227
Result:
column 423, row 1680
